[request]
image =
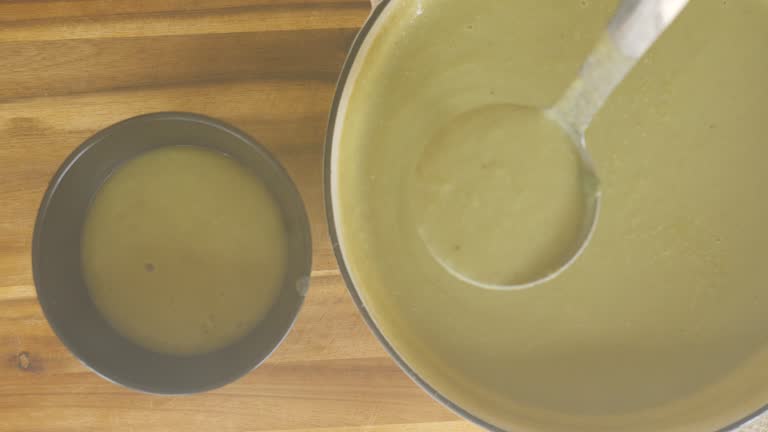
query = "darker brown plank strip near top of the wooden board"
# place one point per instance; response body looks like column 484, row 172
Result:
column 152, row 62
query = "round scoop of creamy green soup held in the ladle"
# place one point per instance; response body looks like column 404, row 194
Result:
column 501, row 160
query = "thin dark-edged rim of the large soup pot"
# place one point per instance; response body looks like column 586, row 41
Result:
column 328, row 193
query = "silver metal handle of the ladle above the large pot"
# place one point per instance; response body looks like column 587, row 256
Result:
column 634, row 28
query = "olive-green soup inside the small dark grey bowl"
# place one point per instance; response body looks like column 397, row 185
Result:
column 183, row 250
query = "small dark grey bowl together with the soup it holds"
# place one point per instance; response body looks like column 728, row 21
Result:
column 171, row 253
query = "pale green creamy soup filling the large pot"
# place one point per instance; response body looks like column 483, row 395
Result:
column 662, row 323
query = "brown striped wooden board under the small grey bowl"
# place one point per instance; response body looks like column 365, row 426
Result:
column 71, row 67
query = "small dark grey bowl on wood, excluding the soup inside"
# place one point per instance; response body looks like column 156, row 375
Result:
column 57, row 271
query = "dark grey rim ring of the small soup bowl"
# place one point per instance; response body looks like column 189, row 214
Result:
column 65, row 167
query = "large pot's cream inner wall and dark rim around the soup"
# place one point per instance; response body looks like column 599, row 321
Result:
column 367, row 34
